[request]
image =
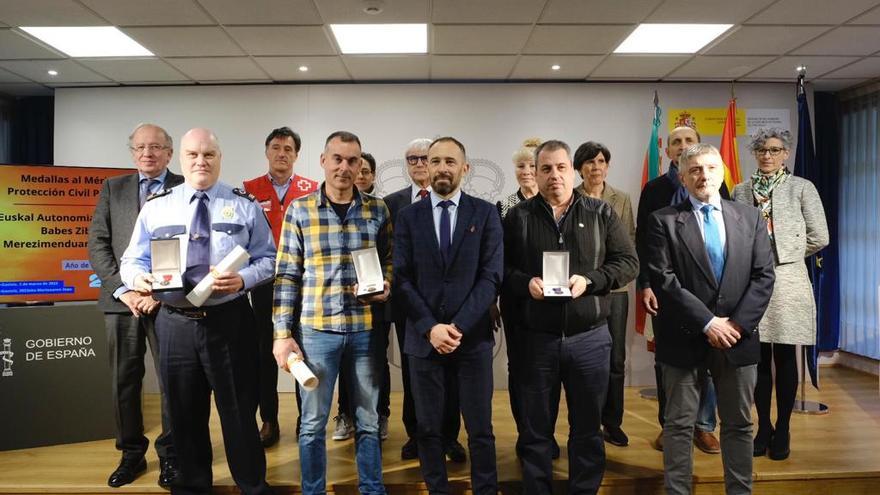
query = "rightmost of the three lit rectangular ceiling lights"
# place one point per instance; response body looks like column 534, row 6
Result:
column 671, row 38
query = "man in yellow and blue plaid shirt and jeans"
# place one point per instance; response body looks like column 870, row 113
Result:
column 318, row 316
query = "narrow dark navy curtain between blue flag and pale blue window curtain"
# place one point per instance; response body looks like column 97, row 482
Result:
column 827, row 183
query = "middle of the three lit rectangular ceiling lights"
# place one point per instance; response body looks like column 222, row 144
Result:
column 381, row 38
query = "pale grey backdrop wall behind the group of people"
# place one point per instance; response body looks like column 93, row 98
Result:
column 92, row 126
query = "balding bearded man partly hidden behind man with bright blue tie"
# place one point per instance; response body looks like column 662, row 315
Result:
column 658, row 193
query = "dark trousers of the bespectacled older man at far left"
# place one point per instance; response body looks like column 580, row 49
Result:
column 127, row 338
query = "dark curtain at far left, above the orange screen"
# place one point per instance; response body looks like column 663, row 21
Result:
column 32, row 127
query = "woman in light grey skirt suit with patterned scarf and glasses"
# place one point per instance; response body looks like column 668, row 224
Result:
column 797, row 229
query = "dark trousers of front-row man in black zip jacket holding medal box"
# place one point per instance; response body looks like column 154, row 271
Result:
column 580, row 363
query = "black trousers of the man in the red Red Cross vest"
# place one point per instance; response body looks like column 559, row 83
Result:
column 267, row 376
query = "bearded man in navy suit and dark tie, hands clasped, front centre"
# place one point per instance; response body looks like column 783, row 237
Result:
column 448, row 276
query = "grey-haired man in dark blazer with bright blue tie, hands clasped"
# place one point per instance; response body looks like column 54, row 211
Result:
column 711, row 269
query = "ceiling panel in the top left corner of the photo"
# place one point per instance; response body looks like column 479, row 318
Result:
column 47, row 13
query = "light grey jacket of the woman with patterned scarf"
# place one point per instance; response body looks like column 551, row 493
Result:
column 799, row 226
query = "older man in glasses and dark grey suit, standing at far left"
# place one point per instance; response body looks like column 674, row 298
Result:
column 130, row 317
